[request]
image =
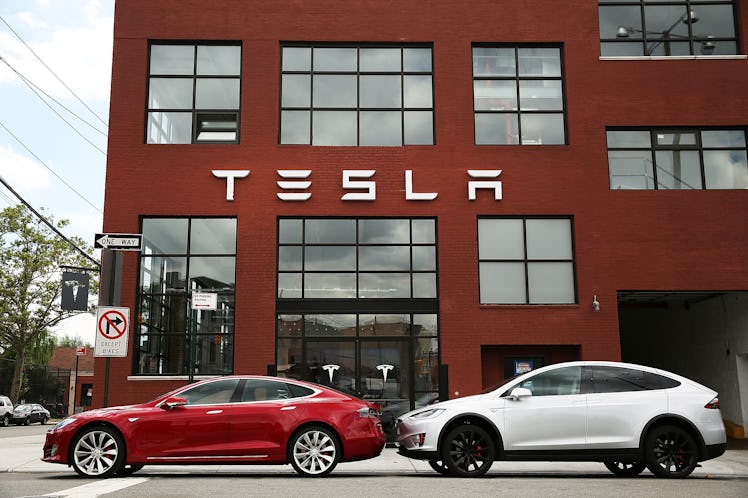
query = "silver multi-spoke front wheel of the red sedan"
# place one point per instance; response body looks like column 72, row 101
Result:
column 98, row 452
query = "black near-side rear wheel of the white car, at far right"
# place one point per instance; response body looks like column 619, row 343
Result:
column 670, row 452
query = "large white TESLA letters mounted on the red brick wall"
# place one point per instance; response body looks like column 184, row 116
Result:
column 295, row 184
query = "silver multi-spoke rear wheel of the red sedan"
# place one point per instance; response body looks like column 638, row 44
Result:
column 314, row 451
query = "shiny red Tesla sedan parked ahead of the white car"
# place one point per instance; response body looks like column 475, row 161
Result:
column 226, row 420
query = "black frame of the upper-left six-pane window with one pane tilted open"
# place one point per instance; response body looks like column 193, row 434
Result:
column 219, row 116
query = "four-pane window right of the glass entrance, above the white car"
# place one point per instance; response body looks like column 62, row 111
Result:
column 526, row 261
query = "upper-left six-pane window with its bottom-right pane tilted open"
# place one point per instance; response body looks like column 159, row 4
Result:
column 193, row 93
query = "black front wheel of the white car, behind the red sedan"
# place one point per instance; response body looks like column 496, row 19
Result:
column 468, row 451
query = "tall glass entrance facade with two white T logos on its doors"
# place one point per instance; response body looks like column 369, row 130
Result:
column 357, row 308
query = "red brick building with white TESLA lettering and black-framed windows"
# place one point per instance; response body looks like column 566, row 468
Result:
column 412, row 199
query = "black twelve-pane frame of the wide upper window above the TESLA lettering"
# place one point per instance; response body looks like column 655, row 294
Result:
column 358, row 109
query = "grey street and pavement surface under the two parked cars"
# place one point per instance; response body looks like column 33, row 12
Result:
column 387, row 475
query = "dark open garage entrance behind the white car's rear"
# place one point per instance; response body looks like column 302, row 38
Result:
column 700, row 335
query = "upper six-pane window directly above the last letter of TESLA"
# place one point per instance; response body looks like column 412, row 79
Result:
column 518, row 95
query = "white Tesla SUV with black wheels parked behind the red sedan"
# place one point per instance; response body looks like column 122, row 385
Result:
column 629, row 417
